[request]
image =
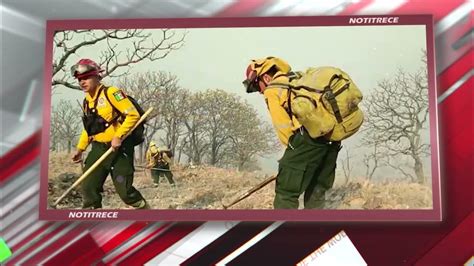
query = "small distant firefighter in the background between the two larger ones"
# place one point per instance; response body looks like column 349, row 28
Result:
column 159, row 163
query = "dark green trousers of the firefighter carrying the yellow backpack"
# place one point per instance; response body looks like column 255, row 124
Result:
column 307, row 166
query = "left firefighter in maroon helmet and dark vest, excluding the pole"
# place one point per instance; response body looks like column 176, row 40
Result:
column 104, row 127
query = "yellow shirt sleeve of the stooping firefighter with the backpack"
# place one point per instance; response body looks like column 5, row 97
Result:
column 276, row 99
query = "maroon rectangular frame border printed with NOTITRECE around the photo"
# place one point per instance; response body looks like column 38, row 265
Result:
column 431, row 215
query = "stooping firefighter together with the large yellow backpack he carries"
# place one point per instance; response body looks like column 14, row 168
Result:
column 311, row 111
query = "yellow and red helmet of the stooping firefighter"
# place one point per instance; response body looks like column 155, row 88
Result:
column 258, row 67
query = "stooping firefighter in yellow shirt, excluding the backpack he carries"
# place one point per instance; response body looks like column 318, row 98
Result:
column 308, row 165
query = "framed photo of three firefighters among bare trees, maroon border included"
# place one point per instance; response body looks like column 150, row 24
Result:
column 209, row 144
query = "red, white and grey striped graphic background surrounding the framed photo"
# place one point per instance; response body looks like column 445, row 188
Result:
column 34, row 241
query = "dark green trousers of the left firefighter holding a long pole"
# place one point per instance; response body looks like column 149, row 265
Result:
column 120, row 166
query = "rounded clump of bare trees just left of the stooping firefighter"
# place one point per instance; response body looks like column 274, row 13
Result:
column 226, row 130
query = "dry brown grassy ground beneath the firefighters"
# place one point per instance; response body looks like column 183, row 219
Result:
column 205, row 187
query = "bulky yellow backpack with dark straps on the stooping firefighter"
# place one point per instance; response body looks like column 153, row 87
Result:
column 325, row 102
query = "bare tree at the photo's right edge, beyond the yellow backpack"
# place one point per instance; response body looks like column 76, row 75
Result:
column 397, row 114
